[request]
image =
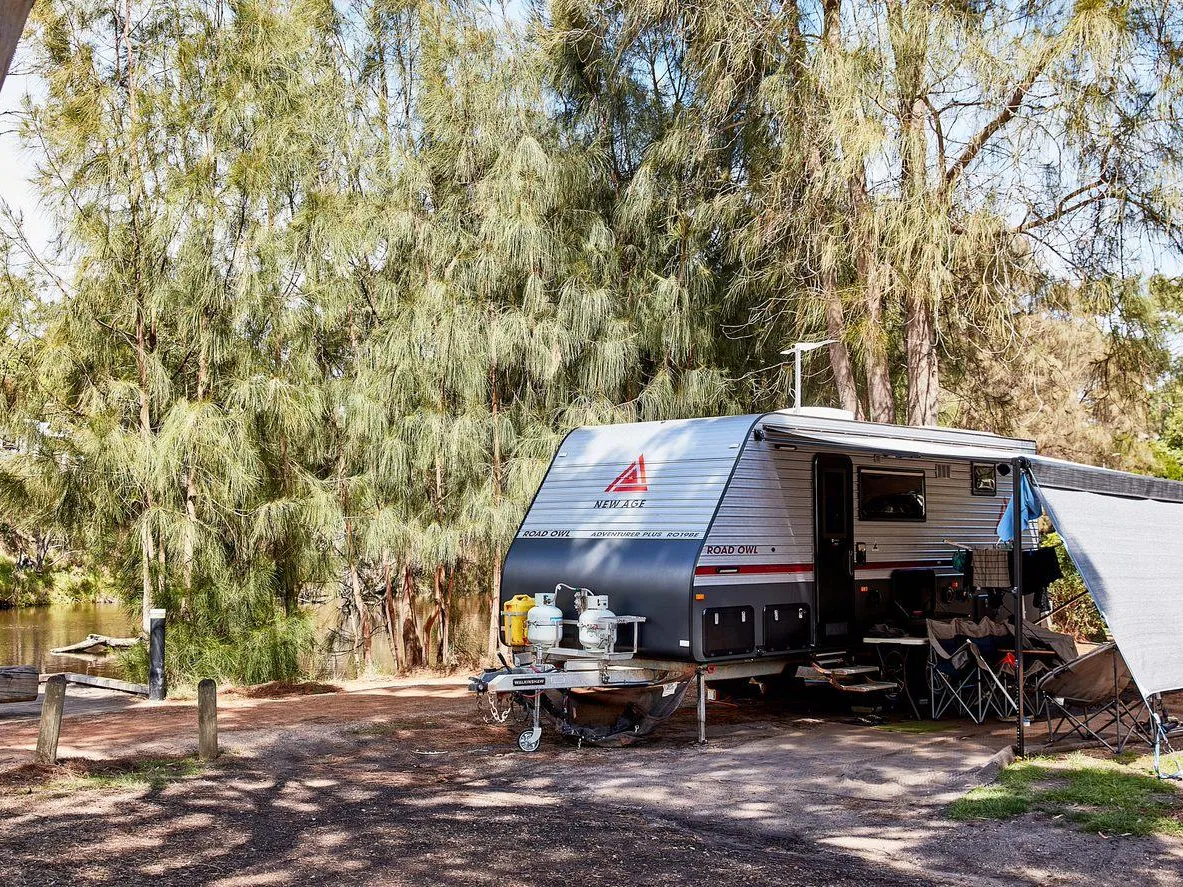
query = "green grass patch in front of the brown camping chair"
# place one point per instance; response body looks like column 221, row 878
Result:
column 1107, row 797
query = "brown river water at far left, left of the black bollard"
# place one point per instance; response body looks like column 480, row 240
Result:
column 28, row 636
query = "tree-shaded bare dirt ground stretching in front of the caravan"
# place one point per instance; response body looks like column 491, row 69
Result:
column 402, row 784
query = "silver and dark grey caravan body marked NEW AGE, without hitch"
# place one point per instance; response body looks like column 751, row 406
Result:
column 760, row 536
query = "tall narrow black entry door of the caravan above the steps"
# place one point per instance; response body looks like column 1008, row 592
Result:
column 835, row 548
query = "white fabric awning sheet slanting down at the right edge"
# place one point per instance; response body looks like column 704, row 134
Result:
column 1124, row 533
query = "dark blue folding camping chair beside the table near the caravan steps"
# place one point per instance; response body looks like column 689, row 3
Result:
column 960, row 672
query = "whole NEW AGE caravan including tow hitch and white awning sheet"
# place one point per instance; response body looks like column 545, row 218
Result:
column 740, row 547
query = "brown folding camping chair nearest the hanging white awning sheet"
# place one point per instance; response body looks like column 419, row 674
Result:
column 1089, row 698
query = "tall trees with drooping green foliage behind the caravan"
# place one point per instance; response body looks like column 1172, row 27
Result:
column 333, row 280
